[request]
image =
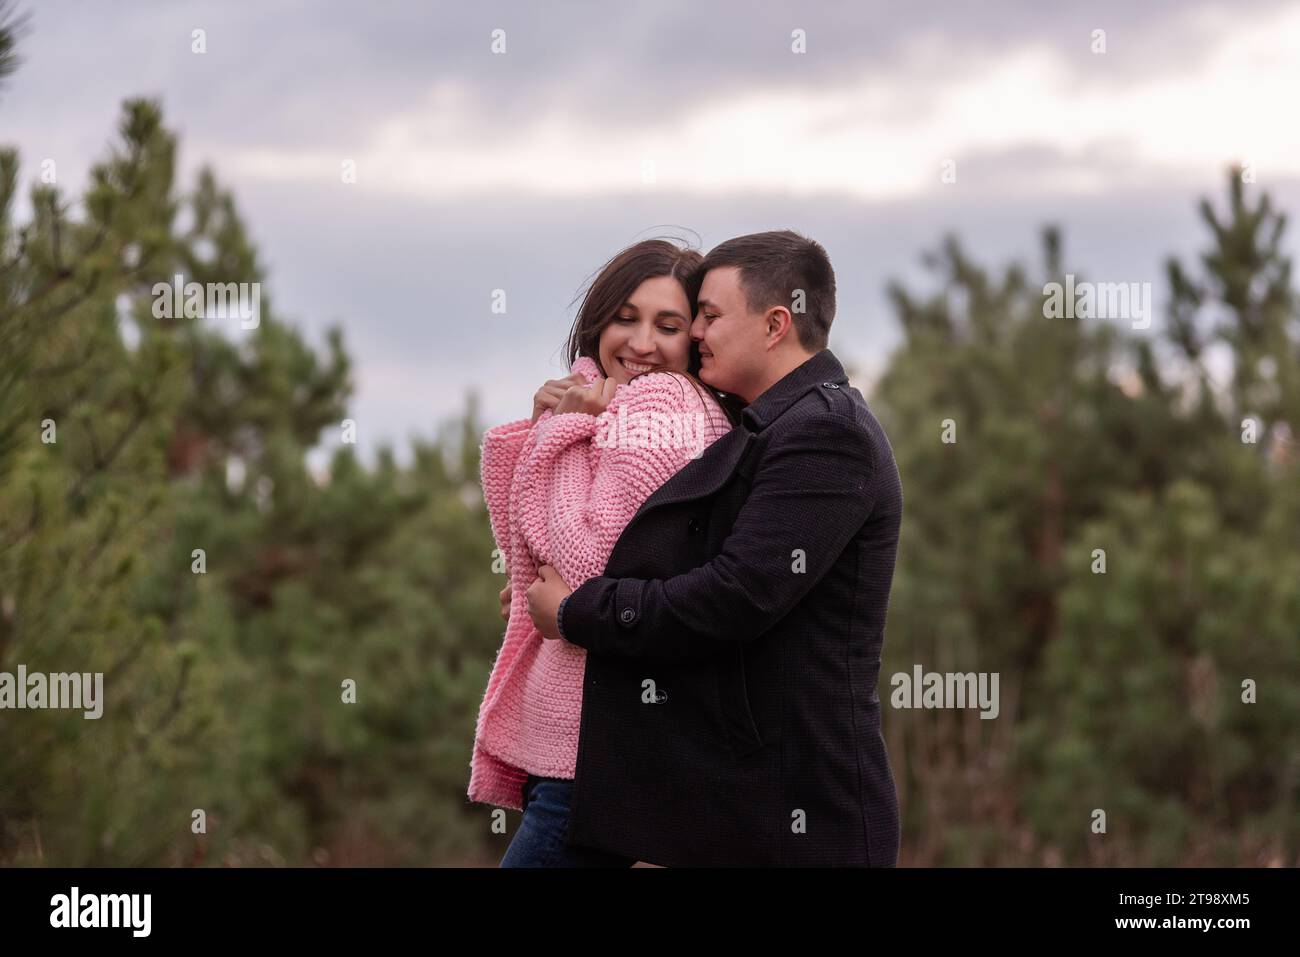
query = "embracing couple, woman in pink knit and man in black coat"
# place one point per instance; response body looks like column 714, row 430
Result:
column 695, row 627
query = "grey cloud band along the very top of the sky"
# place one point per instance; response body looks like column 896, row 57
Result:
column 319, row 73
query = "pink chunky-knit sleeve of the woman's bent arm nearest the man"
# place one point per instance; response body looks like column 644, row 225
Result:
column 583, row 482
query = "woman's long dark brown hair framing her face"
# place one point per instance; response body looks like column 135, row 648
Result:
column 614, row 285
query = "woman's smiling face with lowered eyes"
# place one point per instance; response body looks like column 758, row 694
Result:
column 651, row 331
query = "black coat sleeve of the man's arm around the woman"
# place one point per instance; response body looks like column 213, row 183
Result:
column 813, row 491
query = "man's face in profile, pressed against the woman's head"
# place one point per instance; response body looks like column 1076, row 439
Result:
column 733, row 347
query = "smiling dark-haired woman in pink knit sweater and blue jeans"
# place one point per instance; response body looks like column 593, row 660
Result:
column 560, row 488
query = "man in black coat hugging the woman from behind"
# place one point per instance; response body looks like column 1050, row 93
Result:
column 730, row 711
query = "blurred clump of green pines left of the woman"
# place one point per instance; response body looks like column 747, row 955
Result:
column 174, row 536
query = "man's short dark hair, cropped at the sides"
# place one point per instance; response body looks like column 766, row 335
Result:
column 774, row 270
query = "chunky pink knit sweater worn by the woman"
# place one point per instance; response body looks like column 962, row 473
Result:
column 561, row 493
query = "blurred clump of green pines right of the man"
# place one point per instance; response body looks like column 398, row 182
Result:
column 1100, row 536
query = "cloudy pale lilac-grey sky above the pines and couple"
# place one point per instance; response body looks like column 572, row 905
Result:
column 603, row 124
